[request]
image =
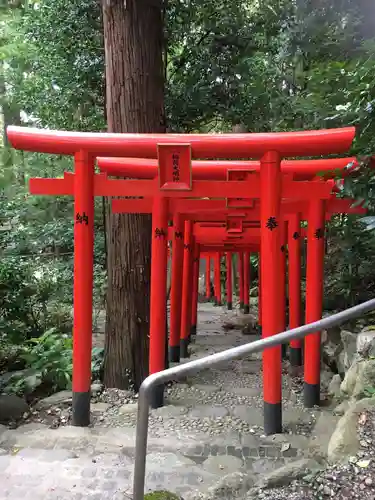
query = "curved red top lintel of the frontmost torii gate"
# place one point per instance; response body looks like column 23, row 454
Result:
column 235, row 146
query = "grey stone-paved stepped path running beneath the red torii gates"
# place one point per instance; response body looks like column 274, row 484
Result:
column 207, row 440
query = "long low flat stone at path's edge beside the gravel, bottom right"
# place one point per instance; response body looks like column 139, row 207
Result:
column 288, row 473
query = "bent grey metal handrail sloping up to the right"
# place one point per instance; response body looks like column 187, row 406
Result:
column 198, row 365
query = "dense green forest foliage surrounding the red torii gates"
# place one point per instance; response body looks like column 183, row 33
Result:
column 266, row 65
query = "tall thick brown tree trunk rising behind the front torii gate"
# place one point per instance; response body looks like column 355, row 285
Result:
column 133, row 36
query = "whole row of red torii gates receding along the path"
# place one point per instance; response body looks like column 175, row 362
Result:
column 217, row 207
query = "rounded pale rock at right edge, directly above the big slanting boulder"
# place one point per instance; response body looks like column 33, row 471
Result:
column 359, row 377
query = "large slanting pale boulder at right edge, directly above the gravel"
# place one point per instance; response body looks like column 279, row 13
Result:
column 344, row 441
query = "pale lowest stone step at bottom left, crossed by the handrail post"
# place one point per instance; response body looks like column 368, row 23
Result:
column 38, row 474
